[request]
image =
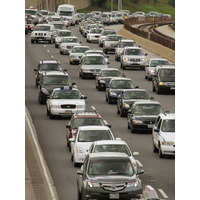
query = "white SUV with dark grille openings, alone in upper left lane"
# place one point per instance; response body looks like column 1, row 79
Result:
column 43, row 32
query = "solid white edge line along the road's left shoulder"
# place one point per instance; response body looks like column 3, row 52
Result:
column 41, row 158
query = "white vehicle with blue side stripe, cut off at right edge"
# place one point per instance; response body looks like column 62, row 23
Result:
column 163, row 134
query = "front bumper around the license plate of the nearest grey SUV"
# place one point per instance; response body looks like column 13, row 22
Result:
column 101, row 194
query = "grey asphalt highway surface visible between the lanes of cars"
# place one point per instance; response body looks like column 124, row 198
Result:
column 159, row 173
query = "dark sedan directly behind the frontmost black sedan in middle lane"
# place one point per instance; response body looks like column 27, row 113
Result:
column 128, row 97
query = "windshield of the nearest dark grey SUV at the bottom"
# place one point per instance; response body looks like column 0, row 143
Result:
column 110, row 166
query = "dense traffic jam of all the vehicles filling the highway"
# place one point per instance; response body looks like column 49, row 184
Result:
column 107, row 167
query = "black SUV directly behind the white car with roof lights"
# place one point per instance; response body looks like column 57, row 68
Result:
column 51, row 80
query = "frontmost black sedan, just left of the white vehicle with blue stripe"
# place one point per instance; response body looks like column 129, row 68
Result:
column 142, row 115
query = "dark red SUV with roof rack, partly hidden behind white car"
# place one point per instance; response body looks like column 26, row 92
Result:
column 87, row 118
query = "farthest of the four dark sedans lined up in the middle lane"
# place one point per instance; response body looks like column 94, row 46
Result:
column 104, row 77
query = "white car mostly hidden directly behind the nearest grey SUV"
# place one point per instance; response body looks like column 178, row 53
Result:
column 114, row 146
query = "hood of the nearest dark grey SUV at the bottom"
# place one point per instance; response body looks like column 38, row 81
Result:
column 112, row 179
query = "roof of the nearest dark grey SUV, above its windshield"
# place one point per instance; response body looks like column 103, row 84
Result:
column 108, row 155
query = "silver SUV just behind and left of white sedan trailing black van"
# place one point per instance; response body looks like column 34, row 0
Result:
column 133, row 57
